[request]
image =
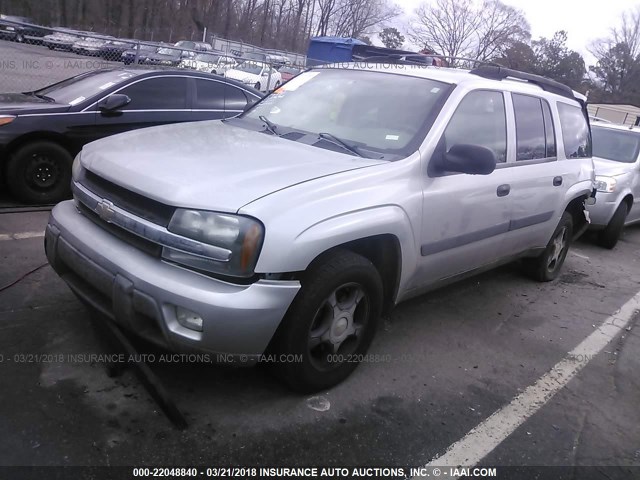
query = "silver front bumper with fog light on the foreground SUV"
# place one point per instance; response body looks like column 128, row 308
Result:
column 140, row 292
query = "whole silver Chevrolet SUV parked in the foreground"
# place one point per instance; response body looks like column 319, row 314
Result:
column 283, row 235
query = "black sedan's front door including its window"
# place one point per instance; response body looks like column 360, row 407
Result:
column 154, row 101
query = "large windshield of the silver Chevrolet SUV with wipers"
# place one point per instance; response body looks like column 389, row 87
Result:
column 382, row 112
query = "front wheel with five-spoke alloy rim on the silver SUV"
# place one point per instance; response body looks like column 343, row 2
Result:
column 339, row 283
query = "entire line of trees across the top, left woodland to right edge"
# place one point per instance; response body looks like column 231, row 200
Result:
column 479, row 30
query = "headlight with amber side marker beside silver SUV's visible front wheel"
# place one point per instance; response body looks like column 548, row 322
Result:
column 240, row 236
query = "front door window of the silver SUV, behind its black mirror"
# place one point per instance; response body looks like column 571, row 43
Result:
column 480, row 119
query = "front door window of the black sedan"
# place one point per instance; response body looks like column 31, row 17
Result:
column 167, row 93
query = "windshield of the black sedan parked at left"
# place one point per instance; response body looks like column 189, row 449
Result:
column 76, row 89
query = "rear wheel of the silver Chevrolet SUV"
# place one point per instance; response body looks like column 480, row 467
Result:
column 547, row 266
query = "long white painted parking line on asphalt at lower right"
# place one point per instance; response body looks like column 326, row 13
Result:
column 484, row 438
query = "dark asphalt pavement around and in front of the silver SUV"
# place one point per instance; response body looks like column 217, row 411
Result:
column 443, row 364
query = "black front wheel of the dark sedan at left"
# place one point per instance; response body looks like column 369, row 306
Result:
column 40, row 173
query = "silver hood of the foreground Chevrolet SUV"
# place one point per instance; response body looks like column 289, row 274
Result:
column 210, row 165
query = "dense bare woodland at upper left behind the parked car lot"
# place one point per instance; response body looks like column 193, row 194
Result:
column 277, row 24
